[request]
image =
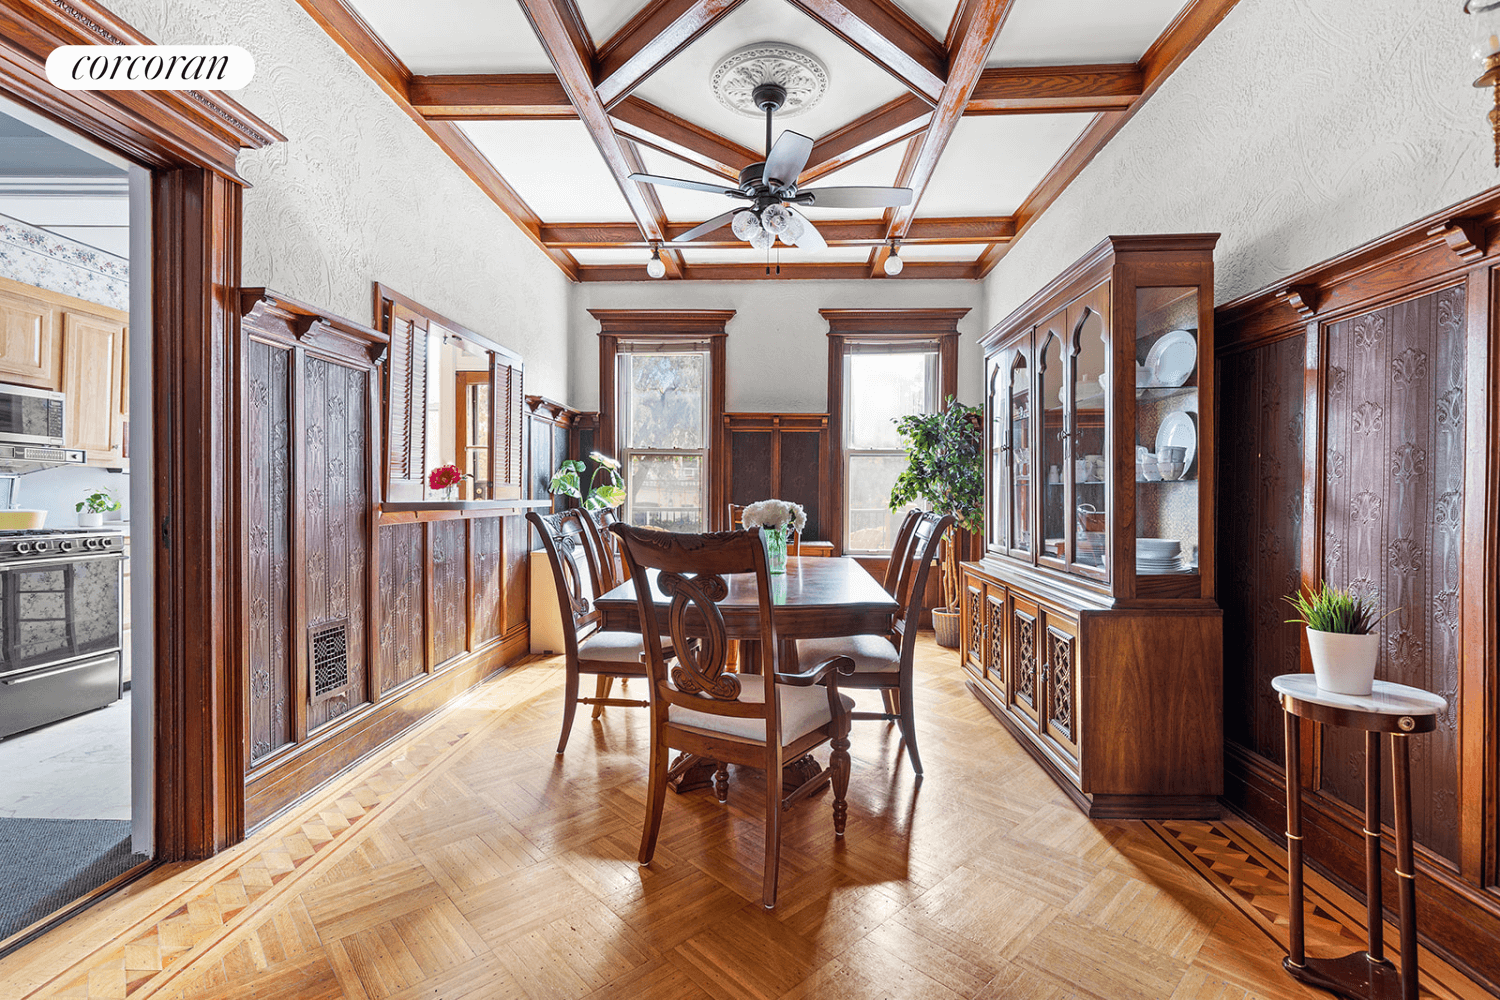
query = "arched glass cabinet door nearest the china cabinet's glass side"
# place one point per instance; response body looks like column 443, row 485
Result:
column 1090, row 470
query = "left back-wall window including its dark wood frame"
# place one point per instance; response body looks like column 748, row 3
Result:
column 662, row 412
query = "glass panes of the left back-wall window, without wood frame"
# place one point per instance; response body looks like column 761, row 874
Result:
column 664, row 436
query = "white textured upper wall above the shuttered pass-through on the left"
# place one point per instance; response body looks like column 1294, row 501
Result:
column 359, row 194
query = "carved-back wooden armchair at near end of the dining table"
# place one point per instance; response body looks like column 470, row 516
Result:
column 700, row 708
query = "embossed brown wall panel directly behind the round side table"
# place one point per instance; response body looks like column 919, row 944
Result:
column 1394, row 478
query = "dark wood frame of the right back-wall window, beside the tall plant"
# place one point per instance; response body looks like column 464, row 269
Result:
column 890, row 328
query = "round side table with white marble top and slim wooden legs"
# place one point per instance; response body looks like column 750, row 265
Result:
column 1400, row 711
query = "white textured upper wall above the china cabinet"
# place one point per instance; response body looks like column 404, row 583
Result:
column 1298, row 130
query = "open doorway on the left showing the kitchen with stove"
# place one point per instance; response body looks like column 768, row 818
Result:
column 76, row 708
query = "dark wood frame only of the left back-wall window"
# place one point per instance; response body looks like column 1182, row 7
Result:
column 670, row 326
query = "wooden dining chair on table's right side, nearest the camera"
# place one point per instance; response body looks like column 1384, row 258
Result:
column 886, row 663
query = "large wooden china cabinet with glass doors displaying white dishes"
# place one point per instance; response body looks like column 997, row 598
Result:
column 1090, row 624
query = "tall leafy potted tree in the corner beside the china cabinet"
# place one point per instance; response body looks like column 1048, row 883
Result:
column 946, row 469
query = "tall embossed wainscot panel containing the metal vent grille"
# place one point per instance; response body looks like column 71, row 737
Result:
column 337, row 504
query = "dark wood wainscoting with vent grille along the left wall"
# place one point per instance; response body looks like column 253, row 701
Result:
column 356, row 623
